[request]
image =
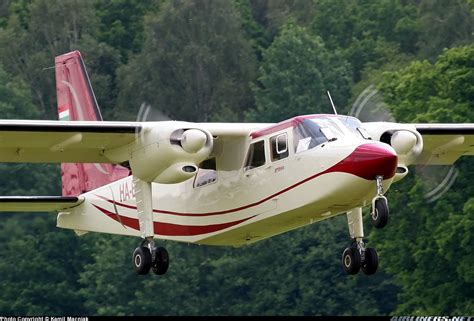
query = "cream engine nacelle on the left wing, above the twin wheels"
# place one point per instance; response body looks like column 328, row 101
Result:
column 169, row 152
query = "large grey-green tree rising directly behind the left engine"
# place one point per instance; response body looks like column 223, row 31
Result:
column 195, row 63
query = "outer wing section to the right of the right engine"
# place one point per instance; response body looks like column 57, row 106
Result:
column 443, row 144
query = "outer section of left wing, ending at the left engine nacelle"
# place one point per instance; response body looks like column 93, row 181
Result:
column 63, row 142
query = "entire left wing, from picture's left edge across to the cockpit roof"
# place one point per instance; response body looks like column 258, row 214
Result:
column 26, row 141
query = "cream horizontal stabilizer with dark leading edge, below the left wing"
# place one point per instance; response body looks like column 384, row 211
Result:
column 37, row 203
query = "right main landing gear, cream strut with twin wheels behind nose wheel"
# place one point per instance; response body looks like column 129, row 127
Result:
column 357, row 256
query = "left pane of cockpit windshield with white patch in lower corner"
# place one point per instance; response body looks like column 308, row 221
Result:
column 307, row 135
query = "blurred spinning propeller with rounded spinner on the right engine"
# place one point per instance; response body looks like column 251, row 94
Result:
column 436, row 179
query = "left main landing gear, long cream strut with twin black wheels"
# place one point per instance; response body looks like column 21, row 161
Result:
column 147, row 256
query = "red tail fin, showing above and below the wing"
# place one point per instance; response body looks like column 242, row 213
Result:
column 76, row 101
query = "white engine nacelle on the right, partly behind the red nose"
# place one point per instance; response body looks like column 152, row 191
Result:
column 404, row 138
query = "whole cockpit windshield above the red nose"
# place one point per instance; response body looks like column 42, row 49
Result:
column 315, row 131
